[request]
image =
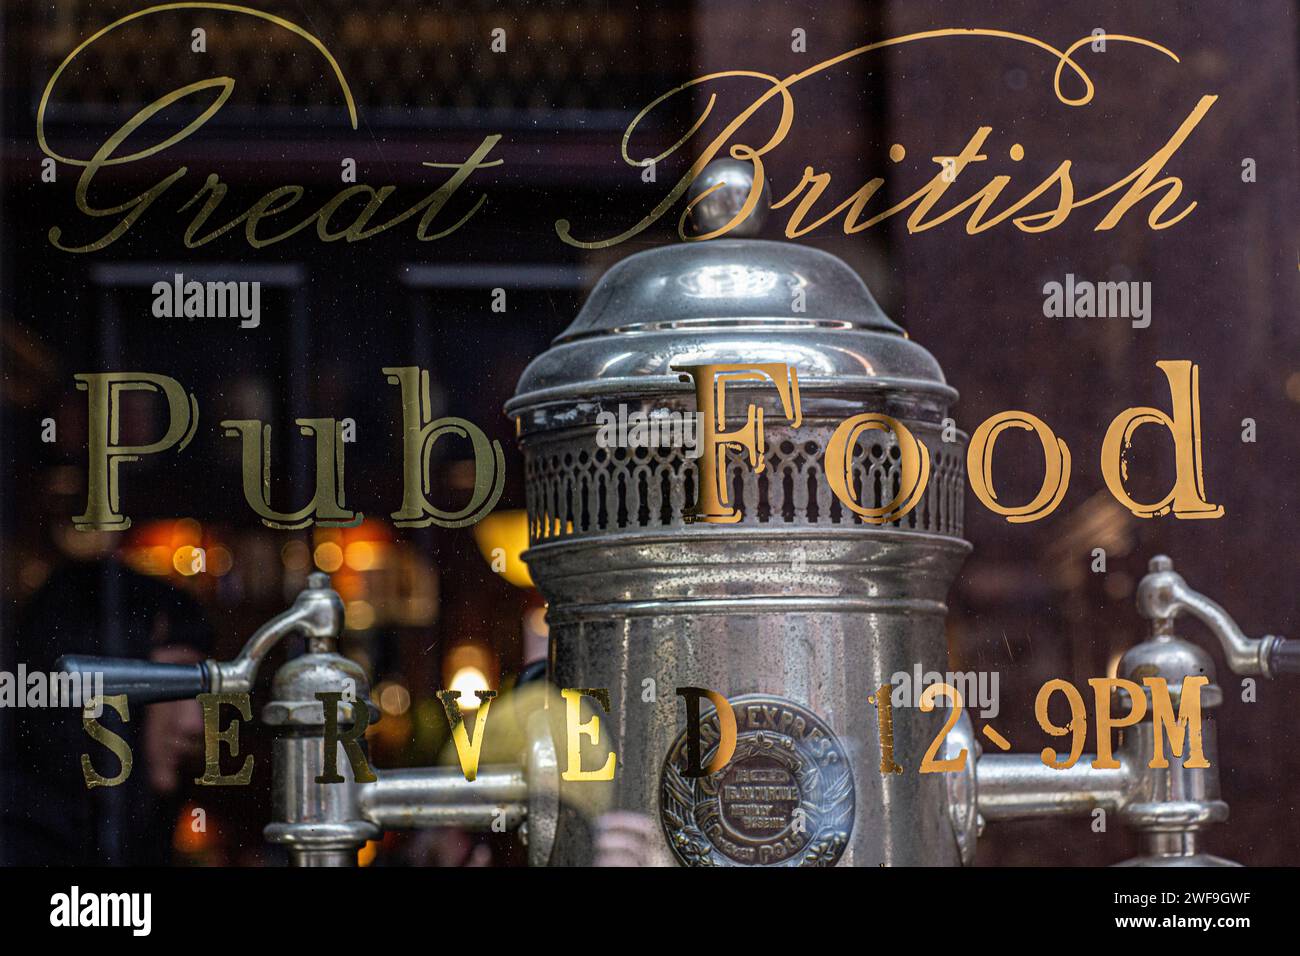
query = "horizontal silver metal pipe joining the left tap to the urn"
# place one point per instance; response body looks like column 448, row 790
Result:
column 441, row 797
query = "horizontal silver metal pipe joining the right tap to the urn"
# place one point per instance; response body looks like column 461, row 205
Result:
column 1020, row 786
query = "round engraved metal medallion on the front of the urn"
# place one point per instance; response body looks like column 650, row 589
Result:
column 785, row 799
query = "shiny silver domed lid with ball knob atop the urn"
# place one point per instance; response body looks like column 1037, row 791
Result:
column 727, row 301
